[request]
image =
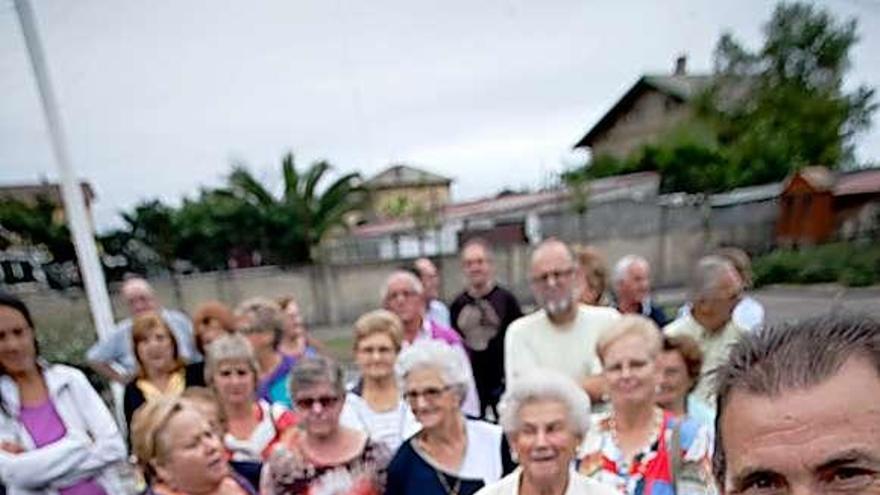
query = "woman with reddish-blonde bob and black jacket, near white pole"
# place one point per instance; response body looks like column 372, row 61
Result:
column 161, row 370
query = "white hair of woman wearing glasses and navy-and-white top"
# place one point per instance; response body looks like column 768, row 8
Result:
column 436, row 355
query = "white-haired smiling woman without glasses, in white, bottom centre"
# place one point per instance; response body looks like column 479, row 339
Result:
column 545, row 415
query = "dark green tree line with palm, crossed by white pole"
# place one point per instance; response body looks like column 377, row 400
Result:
column 242, row 223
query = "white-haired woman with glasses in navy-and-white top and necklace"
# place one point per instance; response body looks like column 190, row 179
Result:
column 451, row 454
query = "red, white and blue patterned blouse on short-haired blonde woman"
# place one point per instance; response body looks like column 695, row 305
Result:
column 649, row 472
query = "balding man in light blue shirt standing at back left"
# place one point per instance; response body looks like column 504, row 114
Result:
column 113, row 357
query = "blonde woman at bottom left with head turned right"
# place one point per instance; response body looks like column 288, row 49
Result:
column 179, row 453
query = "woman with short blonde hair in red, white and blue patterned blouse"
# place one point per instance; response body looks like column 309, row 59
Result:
column 638, row 448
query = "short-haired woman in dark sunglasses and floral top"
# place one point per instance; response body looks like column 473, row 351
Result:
column 324, row 456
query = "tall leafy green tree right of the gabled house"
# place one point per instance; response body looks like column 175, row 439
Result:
column 783, row 106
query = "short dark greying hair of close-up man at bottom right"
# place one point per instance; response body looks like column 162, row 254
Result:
column 795, row 356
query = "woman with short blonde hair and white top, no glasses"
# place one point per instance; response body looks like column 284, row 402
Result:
column 374, row 405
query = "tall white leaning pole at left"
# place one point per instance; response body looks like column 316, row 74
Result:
column 71, row 192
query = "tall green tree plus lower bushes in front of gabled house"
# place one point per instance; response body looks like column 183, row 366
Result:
column 766, row 112
